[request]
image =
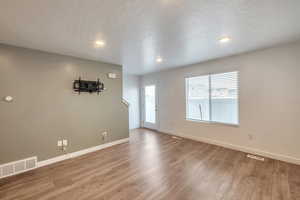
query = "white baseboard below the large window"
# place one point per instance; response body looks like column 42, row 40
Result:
column 280, row 157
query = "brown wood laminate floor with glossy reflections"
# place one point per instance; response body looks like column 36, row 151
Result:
column 156, row 166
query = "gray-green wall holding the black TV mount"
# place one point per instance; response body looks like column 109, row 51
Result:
column 46, row 109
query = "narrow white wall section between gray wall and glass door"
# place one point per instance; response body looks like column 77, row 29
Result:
column 131, row 93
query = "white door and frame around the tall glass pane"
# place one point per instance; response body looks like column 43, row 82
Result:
column 144, row 123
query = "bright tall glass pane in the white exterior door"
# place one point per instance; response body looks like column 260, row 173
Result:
column 150, row 104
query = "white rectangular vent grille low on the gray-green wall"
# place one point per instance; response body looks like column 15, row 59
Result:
column 17, row 167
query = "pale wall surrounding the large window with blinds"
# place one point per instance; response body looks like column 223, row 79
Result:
column 269, row 102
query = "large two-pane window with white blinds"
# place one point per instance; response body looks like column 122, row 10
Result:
column 213, row 98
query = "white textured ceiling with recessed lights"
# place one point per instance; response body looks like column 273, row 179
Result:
column 137, row 31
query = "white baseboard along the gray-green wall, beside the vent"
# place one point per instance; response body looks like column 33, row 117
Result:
column 79, row 153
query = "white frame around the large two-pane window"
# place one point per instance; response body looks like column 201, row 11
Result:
column 210, row 121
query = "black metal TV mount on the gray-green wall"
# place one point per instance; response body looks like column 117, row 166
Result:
column 88, row 86
